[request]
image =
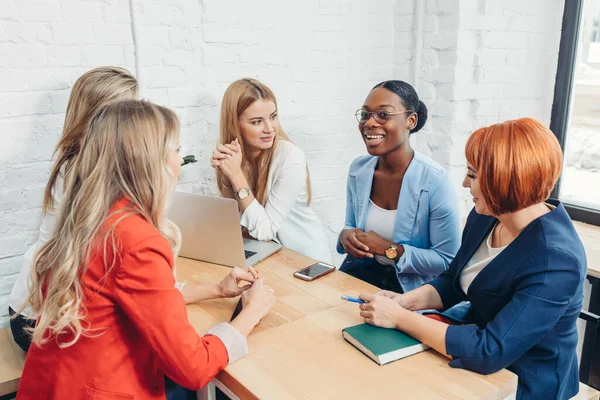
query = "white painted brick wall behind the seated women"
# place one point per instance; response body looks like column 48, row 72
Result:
column 480, row 61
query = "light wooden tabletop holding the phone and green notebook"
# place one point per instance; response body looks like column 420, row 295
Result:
column 297, row 351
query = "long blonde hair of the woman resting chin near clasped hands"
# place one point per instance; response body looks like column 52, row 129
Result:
column 240, row 95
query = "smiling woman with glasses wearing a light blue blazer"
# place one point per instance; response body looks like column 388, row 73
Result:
column 402, row 226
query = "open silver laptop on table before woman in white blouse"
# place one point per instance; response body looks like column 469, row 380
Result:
column 211, row 231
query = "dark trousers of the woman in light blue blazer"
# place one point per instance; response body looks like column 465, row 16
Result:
column 370, row 271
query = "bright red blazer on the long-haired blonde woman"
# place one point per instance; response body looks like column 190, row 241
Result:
column 139, row 330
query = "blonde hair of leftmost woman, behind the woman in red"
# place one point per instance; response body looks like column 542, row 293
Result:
column 91, row 91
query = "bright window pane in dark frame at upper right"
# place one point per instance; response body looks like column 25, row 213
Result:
column 581, row 177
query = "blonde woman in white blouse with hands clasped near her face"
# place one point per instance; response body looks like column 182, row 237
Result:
column 265, row 172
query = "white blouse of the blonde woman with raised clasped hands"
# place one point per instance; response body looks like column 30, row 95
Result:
column 286, row 216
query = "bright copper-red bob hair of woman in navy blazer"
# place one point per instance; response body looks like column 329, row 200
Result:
column 517, row 162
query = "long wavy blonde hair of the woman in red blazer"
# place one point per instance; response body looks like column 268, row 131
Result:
column 123, row 155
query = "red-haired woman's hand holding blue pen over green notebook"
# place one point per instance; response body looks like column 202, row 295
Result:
column 381, row 311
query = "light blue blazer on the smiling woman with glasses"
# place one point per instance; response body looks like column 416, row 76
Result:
column 427, row 221
